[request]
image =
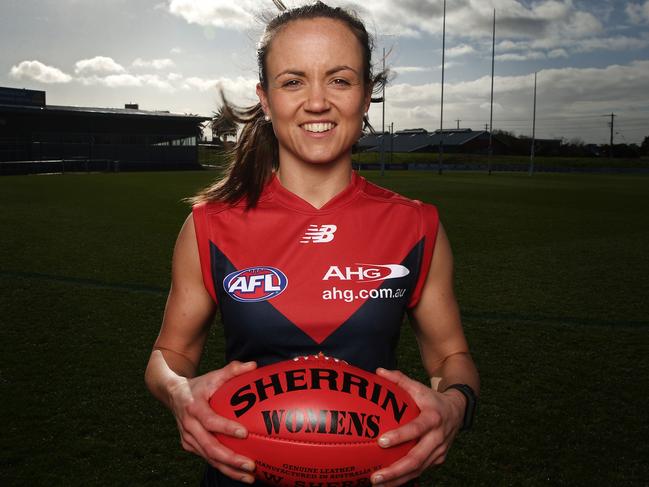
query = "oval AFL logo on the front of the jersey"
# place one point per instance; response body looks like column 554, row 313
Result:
column 255, row 284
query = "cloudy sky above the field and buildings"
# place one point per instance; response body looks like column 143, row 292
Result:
column 591, row 58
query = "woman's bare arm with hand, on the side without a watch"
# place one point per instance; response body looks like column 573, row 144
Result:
column 171, row 371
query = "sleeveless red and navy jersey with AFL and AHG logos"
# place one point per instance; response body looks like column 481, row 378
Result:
column 291, row 279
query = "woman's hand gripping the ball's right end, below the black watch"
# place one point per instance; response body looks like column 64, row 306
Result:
column 435, row 428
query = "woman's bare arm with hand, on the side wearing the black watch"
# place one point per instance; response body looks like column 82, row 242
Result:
column 445, row 356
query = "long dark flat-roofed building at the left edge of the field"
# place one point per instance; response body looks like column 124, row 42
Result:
column 36, row 137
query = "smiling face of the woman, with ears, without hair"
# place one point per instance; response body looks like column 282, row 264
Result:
column 316, row 94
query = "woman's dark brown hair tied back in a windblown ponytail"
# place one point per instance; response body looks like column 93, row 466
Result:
column 256, row 153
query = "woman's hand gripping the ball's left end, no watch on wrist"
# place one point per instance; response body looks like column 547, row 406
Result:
column 196, row 421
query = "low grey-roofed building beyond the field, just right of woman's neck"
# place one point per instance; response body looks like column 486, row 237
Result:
column 411, row 142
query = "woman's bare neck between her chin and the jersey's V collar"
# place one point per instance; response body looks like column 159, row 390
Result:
column 316, row 184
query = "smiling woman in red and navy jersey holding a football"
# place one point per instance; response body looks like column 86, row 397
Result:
column 302, row 255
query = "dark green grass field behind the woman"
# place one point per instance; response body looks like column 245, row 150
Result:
column 552, row 278
